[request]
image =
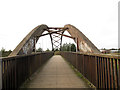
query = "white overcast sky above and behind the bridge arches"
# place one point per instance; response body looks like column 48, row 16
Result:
column 97, row 19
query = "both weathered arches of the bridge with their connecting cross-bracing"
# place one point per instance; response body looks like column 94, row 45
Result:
column 27, row 45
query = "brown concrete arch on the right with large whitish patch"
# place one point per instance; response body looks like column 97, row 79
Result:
column 84, row 44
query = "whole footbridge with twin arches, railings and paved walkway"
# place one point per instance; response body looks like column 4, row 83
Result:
column 26, row 68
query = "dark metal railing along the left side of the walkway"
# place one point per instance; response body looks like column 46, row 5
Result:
column 15, row 70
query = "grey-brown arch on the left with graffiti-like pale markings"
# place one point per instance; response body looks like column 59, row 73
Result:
column 26, row 46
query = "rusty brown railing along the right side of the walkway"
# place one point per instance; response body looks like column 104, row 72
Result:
column 103, row 71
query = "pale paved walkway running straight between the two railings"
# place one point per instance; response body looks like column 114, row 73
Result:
column 56, row 73
